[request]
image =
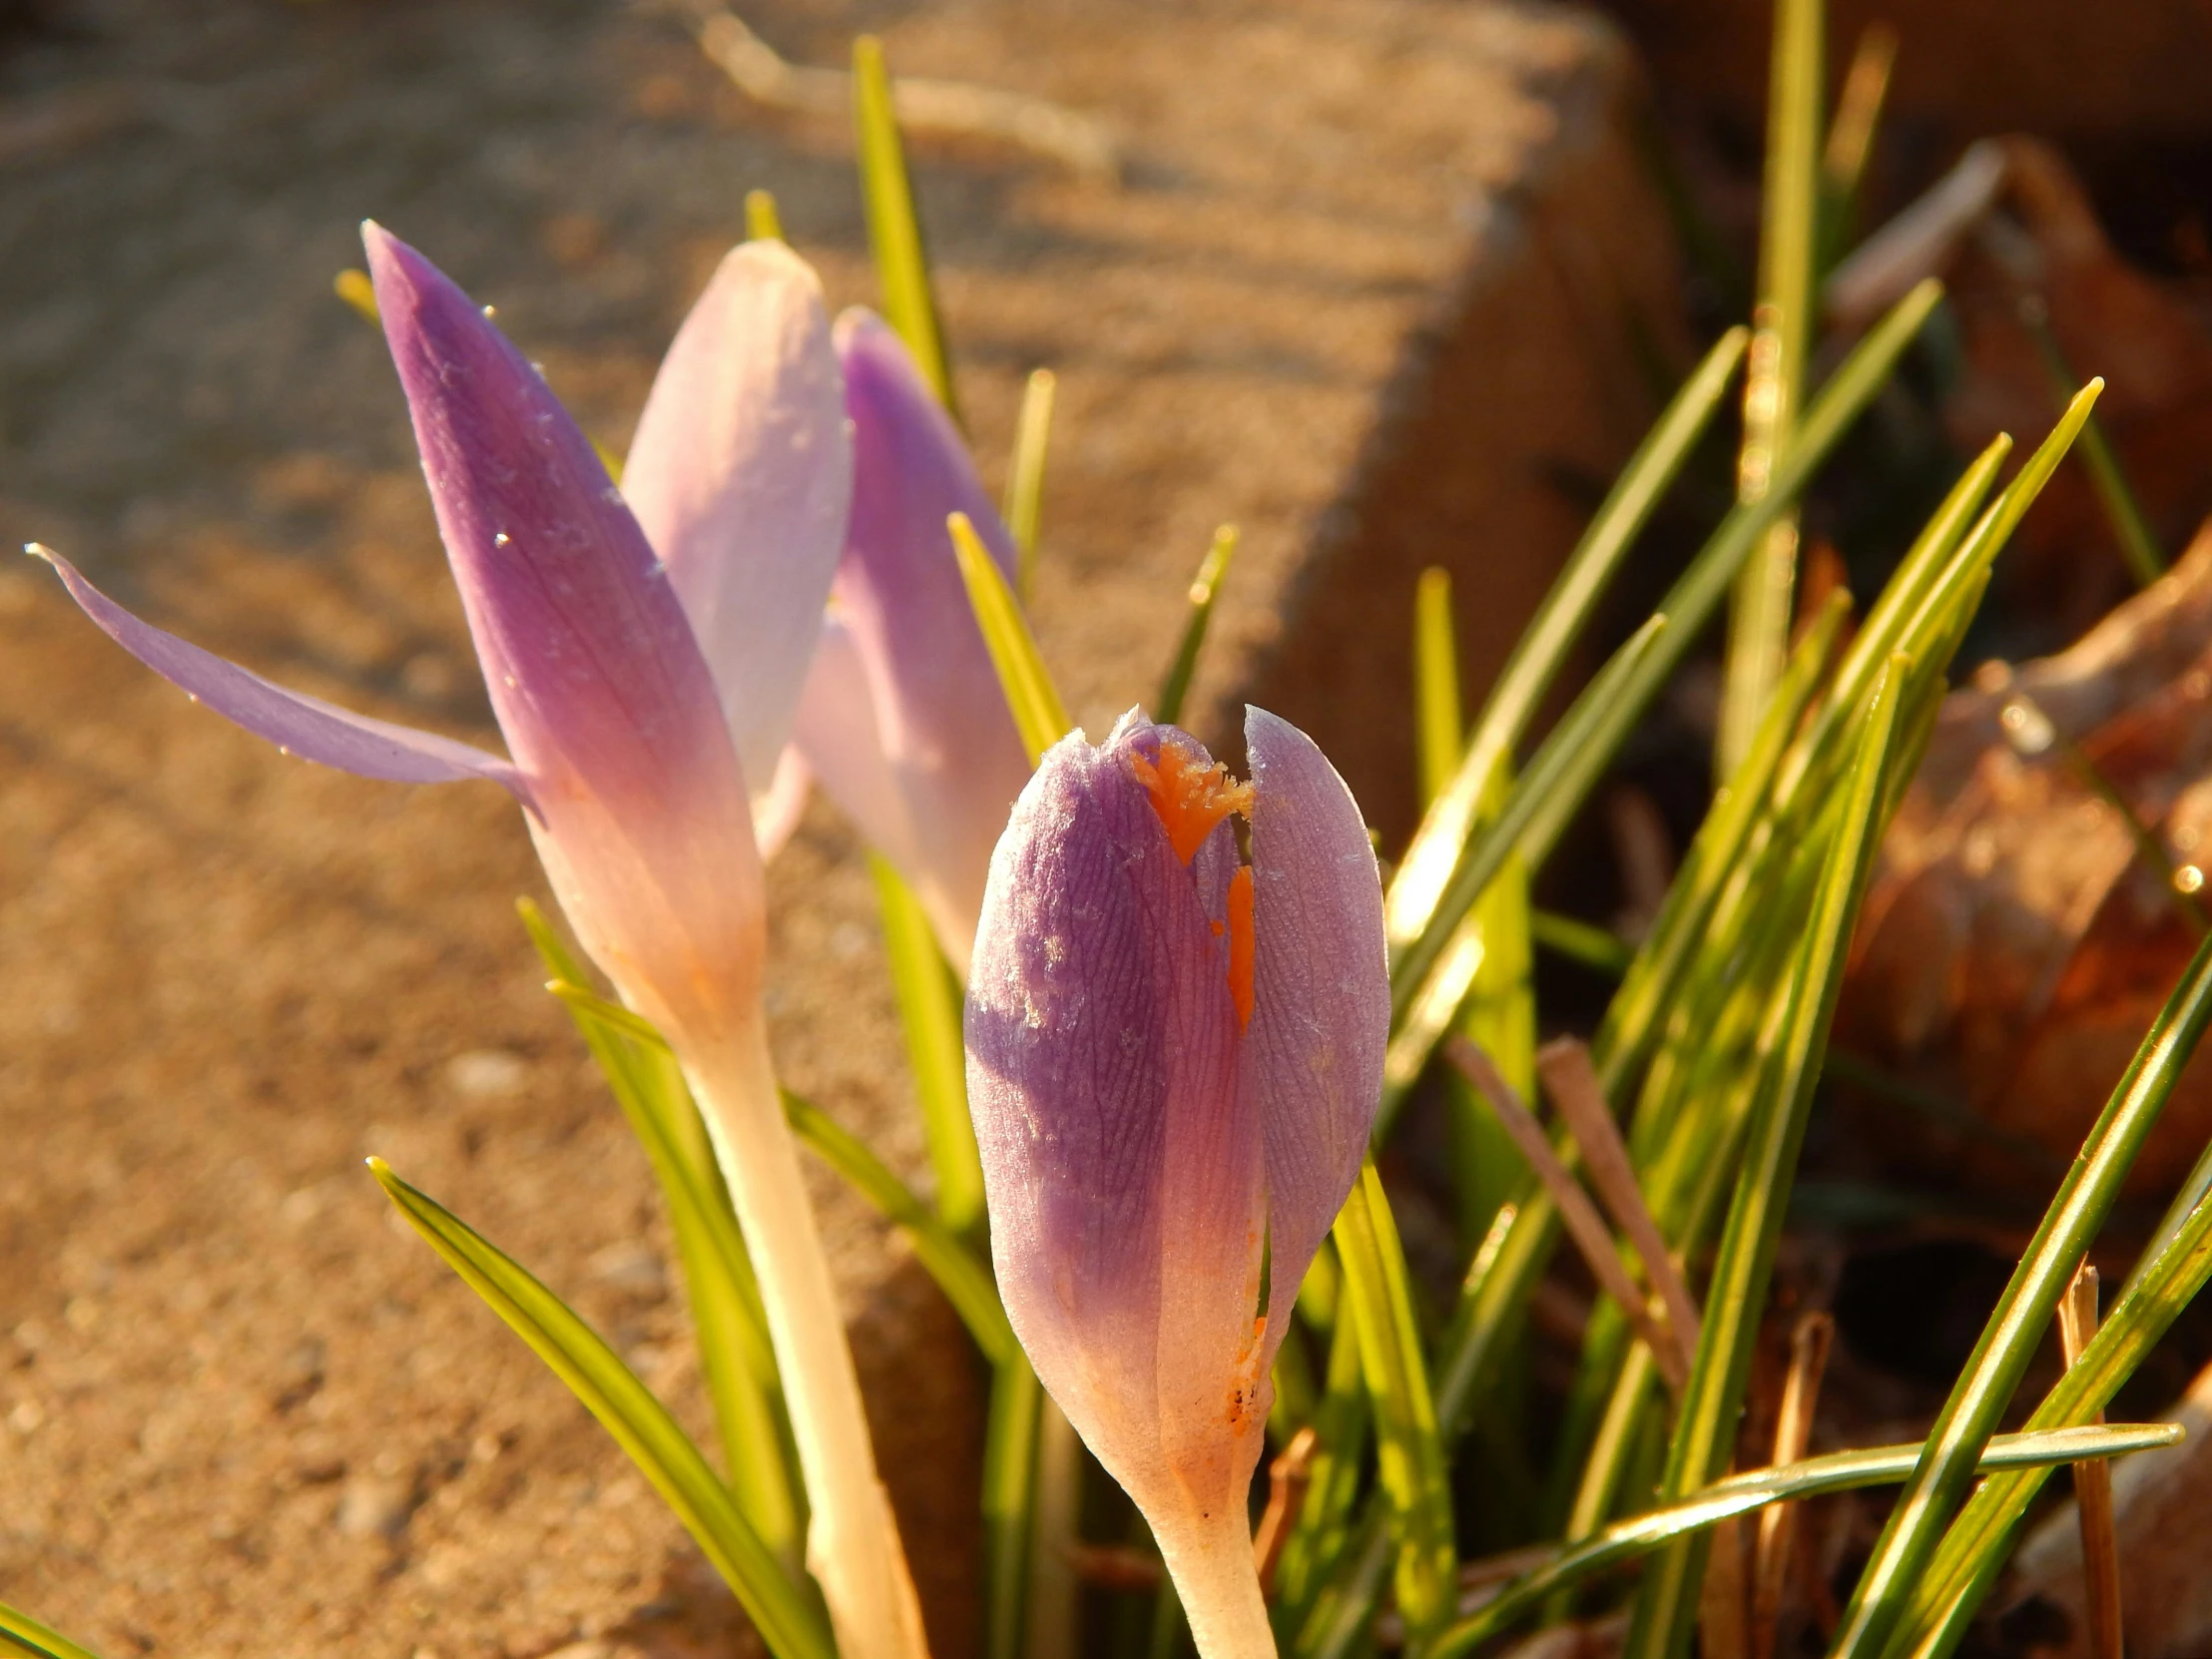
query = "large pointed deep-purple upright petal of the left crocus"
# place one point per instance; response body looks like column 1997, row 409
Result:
column 592, row 665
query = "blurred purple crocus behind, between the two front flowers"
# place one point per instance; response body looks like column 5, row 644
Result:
column 904, row 718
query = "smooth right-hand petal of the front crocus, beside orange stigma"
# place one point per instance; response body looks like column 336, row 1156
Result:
column 1319, row 994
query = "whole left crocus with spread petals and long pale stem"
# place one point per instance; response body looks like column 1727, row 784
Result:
column 634, row 696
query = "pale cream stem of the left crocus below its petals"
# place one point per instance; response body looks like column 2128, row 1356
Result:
column 853, row 1541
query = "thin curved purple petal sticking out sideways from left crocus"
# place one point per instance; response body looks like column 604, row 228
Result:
column 295, row 722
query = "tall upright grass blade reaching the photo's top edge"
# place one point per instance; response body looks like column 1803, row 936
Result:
column 1784, row 322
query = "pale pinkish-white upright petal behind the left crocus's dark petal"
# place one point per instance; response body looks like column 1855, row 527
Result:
column 742, row 477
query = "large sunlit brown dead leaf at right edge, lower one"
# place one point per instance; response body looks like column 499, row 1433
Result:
column 2036, row 899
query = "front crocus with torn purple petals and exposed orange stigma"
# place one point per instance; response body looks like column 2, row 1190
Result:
column 1173, row 1065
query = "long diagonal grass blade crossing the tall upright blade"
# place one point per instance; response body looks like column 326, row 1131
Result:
column 1558, row 782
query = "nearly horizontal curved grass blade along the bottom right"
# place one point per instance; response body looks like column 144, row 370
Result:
column 1746, row 1494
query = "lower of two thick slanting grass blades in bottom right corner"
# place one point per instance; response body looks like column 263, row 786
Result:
column 1979, row 1543
